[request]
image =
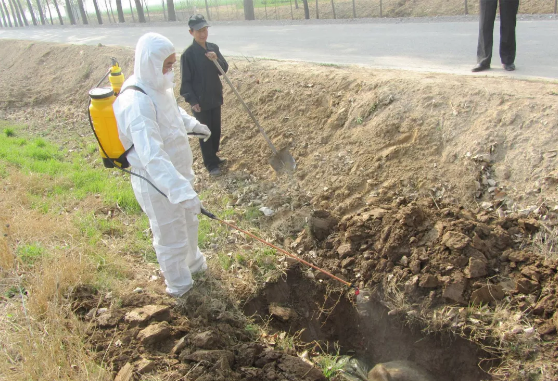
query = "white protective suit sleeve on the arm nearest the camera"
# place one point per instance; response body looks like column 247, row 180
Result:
column 148, row 144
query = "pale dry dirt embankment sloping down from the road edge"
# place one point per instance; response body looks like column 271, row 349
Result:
column 355, row 133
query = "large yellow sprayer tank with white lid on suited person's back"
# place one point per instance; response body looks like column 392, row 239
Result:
column 104, row 123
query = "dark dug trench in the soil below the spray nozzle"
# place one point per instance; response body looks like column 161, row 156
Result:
column 364, row 329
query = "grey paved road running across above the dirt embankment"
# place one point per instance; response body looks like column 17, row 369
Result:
column 439, row 46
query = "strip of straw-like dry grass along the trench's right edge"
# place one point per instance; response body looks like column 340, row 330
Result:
column 504, row 331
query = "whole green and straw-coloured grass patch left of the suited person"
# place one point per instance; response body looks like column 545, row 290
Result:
column 61, row 238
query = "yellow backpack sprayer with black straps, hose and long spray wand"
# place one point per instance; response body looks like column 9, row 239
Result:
column 103, row 124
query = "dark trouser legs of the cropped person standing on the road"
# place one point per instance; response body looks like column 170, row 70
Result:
column 508, row 13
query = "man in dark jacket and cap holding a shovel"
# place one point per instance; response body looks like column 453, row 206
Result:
column 202, row 88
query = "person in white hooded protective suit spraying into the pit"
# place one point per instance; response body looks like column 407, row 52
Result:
column 158, row 128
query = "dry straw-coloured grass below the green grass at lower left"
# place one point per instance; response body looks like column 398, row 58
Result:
column 41, row 337
